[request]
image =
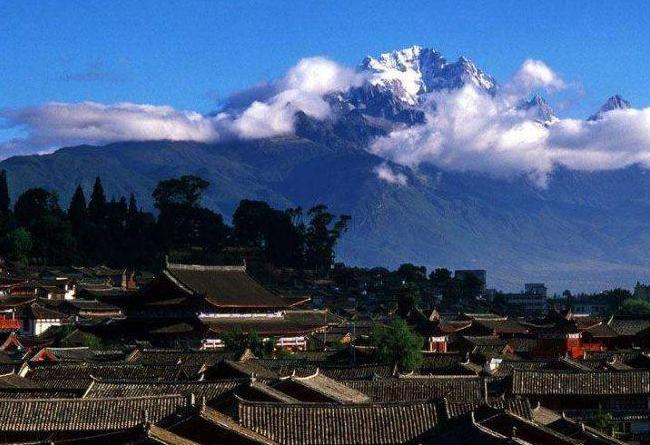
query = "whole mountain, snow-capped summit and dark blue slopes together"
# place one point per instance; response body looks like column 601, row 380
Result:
column 584, row 230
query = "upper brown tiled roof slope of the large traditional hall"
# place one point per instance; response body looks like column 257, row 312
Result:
column 227, row 286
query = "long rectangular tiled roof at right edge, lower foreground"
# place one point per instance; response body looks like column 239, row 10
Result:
column 581, row 383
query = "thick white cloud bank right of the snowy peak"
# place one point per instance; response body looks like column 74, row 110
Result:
column 470, row 130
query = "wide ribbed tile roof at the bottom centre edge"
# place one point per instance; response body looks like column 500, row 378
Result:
column 315, row 423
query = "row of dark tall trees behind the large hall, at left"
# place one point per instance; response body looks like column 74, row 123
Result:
column 117, row 233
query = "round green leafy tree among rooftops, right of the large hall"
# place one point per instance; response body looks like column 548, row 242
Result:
column 397, row 343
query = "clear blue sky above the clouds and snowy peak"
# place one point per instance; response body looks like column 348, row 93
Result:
column 191, row 54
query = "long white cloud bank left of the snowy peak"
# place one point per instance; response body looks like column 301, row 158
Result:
column 264, row 111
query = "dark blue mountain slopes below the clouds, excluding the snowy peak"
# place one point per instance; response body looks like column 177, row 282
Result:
column 585, row 231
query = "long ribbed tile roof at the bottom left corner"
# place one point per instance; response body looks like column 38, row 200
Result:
column 84, row 414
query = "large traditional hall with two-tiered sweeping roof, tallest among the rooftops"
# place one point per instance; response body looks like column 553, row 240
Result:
column 223, row 298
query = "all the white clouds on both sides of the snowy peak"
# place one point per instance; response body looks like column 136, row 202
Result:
column 465, row 130
